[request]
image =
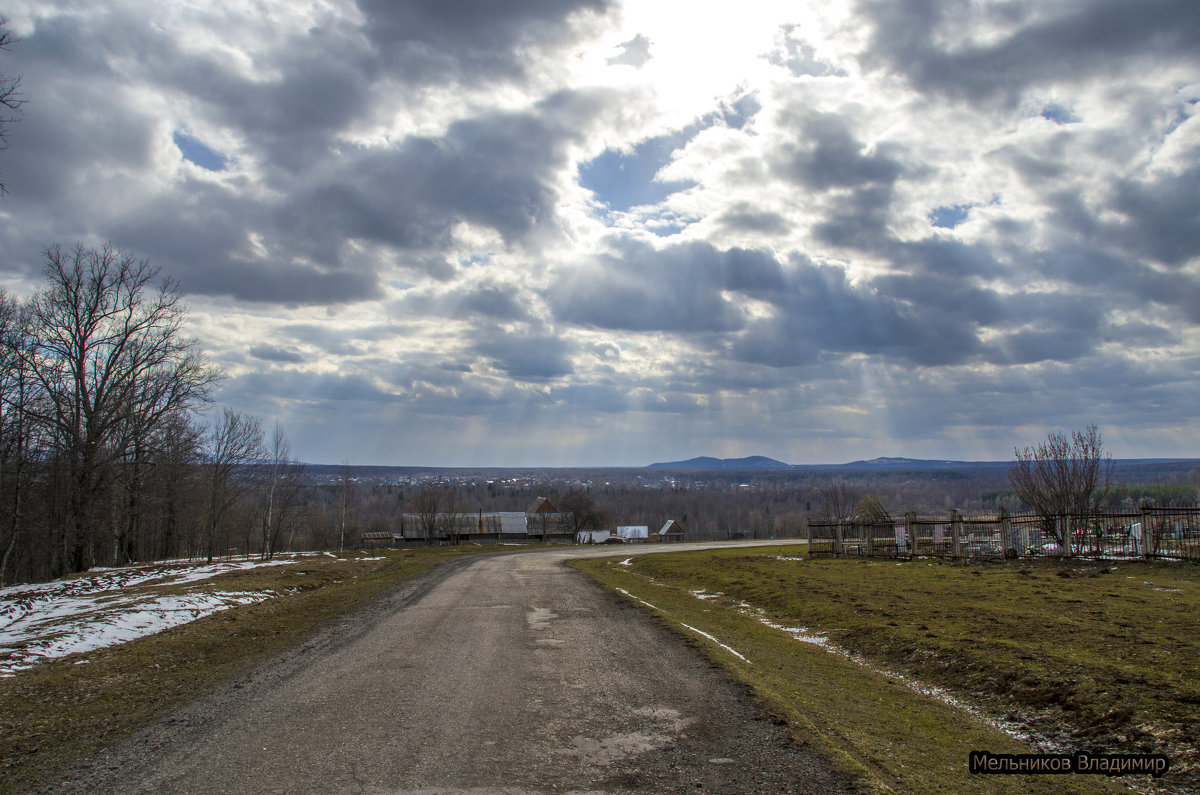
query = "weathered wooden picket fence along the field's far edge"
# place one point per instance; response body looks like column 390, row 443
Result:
column 1149, row 534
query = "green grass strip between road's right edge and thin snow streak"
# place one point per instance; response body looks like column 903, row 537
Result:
column 875, row 728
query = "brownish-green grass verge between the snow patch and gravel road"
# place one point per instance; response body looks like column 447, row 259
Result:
column 64, row 710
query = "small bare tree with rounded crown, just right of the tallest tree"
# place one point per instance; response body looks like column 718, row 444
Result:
column 235, row 443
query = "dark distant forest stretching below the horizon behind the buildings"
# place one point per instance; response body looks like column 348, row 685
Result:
column 320, row 507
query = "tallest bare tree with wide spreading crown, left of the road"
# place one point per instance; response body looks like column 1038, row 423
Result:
column 111, row 356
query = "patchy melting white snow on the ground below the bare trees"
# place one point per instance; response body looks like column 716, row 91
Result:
column 83, row 614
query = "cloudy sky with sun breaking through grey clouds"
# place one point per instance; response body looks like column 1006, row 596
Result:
column 602, row 234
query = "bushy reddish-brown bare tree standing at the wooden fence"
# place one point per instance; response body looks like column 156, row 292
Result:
column 1063, row 477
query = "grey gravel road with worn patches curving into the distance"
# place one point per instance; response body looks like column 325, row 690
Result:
column 503, row 674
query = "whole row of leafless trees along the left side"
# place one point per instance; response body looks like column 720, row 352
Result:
column 104, row 457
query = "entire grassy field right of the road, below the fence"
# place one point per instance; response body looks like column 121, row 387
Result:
column 1087, row 659
